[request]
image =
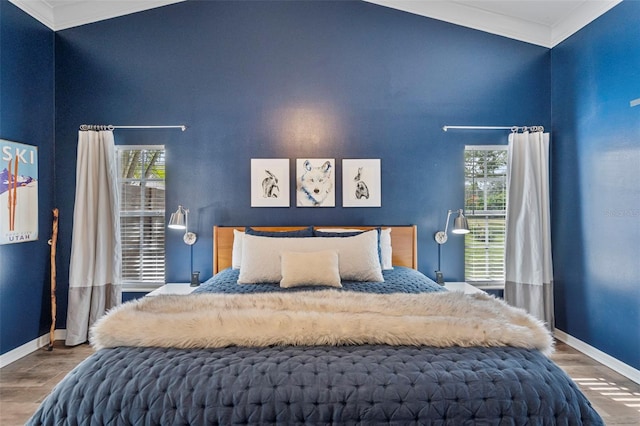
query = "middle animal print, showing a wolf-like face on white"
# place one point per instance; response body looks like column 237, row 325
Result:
column 315, row 182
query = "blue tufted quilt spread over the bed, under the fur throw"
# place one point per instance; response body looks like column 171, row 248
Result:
column 320, row 385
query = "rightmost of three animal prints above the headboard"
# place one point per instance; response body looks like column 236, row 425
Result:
column 361, row 183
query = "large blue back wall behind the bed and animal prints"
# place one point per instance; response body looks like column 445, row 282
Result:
column 292, row 80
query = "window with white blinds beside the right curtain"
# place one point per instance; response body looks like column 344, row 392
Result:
column 485, row 206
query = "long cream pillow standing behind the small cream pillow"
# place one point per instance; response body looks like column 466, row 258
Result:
column 358, row 256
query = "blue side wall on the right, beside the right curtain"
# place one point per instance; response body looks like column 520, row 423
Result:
column 596, row 195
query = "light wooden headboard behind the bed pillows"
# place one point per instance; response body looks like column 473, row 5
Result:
column 403, row 243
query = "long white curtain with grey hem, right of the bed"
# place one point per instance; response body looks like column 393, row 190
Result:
column 529, row 268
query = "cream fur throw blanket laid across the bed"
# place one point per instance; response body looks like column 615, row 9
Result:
column 329, row 317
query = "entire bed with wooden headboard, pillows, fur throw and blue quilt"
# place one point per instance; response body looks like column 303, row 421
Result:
column 401, row 350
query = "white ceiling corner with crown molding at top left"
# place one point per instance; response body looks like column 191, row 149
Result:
column 72, row 14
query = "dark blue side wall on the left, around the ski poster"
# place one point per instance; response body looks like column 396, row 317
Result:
column 26, row 116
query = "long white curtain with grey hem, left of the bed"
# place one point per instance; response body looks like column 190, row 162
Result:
column 94, row 272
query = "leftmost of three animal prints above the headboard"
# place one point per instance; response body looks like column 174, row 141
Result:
column 270, row 182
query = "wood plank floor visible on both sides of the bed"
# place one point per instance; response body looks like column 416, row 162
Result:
column 25, row 383
